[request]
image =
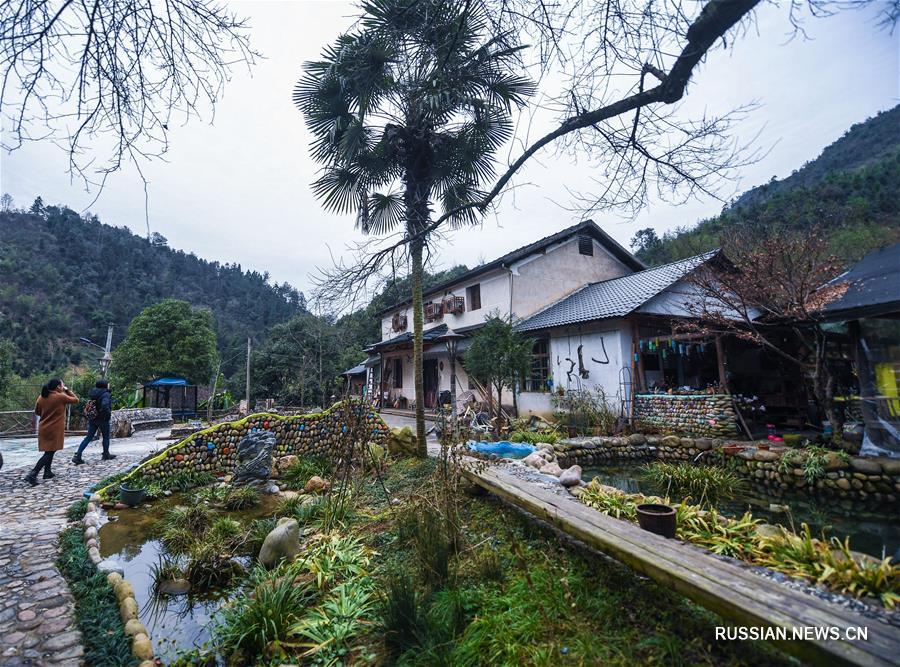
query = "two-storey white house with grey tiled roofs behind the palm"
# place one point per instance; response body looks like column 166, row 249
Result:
column 585, row 300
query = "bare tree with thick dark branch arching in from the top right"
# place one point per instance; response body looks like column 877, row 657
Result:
column 615, row 71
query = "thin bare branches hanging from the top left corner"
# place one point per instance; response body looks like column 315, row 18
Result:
column 112, row 73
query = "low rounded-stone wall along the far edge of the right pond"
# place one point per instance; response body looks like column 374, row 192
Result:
column 861, row 479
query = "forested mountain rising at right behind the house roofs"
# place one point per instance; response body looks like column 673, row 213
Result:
column 852, row 191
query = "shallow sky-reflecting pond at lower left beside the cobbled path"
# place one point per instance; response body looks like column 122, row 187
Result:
column 176, row 623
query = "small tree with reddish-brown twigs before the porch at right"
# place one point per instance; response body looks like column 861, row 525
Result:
column 769, row 289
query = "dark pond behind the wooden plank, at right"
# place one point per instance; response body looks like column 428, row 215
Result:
column 872, row 532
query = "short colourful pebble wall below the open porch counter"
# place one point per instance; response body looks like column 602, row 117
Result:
column 710, row 415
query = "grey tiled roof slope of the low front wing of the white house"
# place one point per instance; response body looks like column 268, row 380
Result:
column 613, row 298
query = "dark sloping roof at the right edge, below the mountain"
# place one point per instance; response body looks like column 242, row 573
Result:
column 874, row 286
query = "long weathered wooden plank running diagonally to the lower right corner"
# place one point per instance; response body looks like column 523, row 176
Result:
column 720, row 585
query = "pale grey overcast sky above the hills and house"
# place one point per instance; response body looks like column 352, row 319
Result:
column 238, row 189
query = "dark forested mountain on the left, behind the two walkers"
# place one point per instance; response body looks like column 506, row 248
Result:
column 64, row 276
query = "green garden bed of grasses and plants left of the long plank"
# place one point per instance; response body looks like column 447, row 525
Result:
column 379, row 580
